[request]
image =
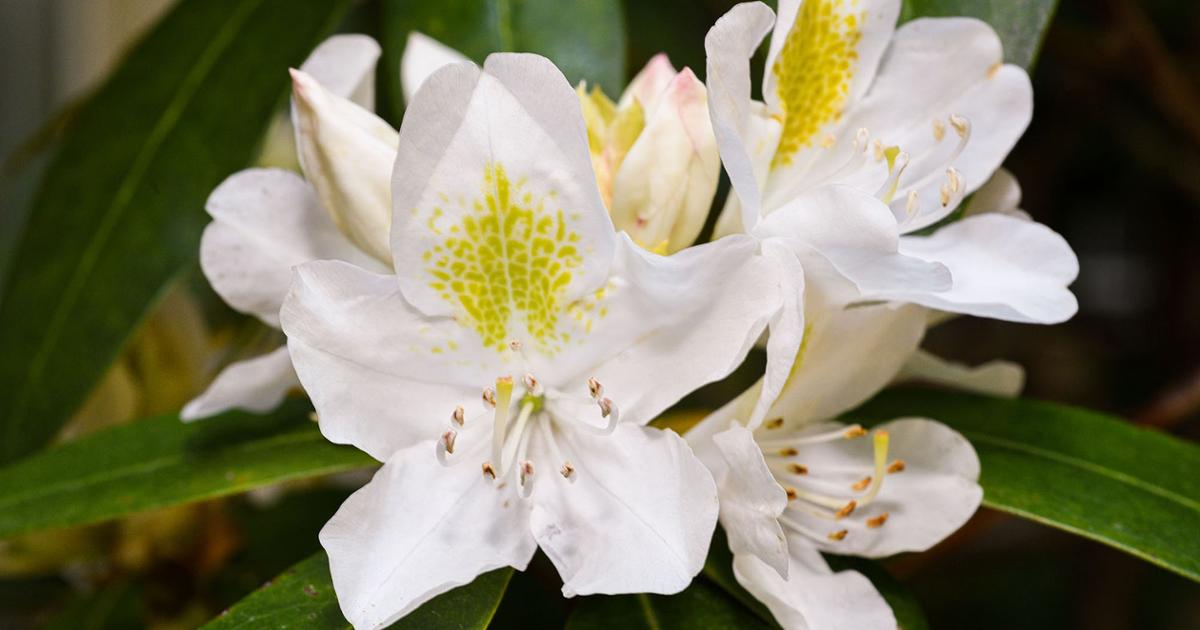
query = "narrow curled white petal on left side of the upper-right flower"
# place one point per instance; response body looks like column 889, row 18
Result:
column 730, row 45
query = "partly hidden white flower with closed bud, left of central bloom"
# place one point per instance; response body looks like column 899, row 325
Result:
column 266, row 221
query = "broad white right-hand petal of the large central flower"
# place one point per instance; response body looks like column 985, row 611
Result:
column 674, row 323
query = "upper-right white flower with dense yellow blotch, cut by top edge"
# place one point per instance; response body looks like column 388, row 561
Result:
column 911, row 119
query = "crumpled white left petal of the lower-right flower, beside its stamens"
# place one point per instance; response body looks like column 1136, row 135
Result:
column 752, row 500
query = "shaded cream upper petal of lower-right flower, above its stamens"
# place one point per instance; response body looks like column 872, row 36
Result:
column 848, row 357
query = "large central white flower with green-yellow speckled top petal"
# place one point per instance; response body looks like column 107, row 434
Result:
column 506, row 370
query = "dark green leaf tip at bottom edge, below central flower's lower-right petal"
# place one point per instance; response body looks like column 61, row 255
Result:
column 701, row 607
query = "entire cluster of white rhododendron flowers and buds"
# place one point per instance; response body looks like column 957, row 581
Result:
column 497, row 299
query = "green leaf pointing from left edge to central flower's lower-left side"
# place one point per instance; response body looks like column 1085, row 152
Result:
column 161, row 463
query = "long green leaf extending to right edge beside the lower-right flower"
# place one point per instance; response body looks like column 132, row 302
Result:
column 1079, row 471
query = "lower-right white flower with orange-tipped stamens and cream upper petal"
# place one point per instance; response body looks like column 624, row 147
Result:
column 800, row 483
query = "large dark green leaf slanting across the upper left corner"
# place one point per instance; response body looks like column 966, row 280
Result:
column 121, row 209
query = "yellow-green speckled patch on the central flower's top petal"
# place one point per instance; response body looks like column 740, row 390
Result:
column 507, row 263
